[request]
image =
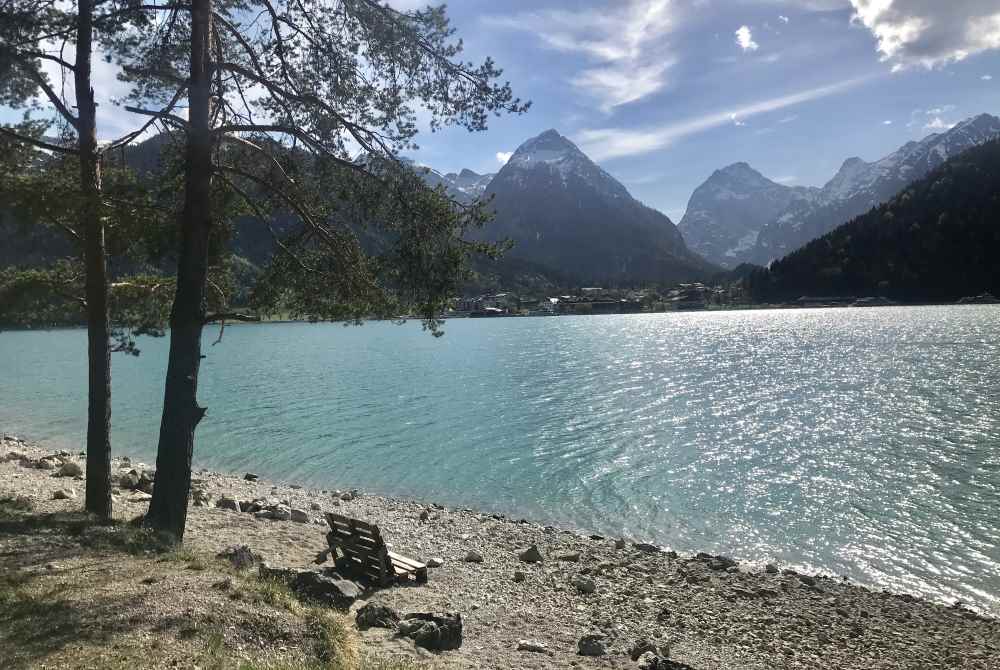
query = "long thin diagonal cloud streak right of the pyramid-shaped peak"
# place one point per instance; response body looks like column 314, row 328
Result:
column 606, row 143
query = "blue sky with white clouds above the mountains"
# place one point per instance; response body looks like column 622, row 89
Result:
column 663, row 92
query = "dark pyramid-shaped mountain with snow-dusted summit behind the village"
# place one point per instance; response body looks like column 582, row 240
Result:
column 564, row 213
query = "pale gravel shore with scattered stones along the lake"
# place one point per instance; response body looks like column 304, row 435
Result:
column 710, row 611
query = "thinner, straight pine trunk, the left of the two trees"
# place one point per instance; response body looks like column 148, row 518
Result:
column 98, row 499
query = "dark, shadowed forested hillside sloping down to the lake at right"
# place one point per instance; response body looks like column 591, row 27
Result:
column 936, row 241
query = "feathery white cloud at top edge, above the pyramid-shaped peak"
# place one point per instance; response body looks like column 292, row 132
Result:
column 626, row 46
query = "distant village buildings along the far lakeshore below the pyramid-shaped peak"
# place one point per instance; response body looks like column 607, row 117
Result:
column 595, row 300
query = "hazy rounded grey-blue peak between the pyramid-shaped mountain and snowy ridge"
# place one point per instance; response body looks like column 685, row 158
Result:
column 726, row 213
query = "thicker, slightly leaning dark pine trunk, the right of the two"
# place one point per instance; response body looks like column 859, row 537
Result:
column 181, row 412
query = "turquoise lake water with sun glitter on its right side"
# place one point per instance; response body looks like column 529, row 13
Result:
column 862, row 442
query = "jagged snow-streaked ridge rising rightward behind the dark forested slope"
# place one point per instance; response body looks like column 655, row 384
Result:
column 858, row 186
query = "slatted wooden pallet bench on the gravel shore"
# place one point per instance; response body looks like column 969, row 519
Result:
column 358, row 549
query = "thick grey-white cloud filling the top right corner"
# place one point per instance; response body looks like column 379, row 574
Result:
column 931, row 33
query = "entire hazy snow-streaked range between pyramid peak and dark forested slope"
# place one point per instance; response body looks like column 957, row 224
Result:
column 740, row 216
